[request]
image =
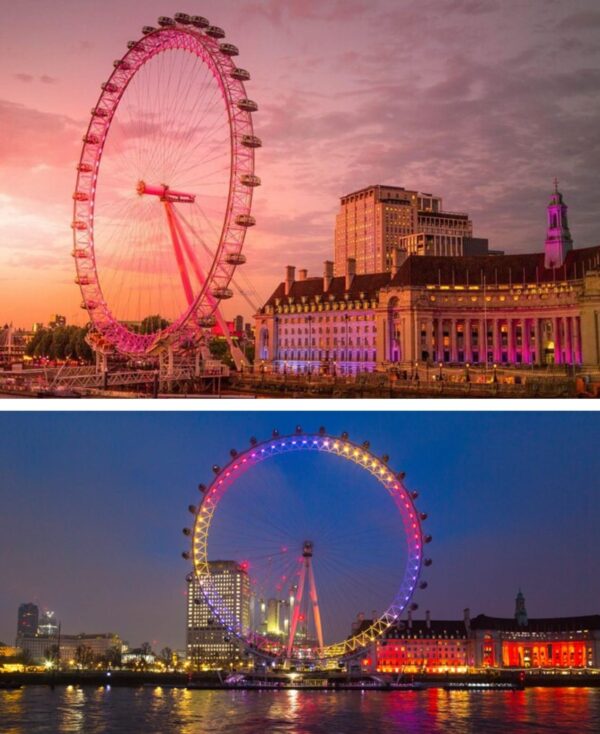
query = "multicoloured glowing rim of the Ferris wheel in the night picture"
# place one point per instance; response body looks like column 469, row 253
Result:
column 346, row 449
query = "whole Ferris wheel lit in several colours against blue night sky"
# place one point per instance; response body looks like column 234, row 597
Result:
column 309, row 589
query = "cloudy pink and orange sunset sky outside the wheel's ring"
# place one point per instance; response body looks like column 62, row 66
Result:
column 478, row 101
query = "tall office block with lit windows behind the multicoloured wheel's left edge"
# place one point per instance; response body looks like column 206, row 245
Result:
column 209, row 644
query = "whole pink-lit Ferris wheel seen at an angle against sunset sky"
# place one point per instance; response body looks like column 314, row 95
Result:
column 164, row 189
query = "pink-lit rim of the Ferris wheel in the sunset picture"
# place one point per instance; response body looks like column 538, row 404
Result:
column 109, row 332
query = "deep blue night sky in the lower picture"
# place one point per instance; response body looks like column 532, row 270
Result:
column 93, row 505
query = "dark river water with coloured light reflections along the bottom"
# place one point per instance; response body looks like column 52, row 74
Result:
column 89, row 710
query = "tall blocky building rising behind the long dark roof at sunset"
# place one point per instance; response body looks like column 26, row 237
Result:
column 374, row 222
